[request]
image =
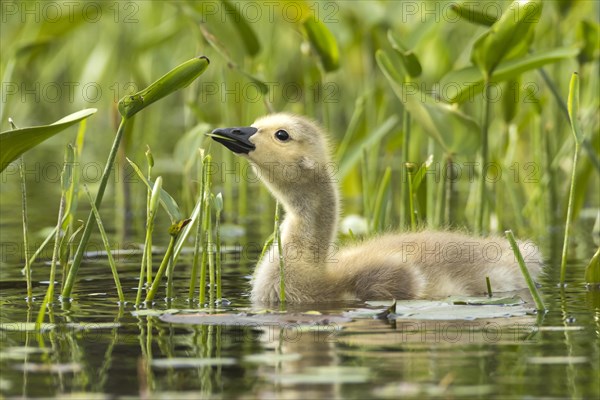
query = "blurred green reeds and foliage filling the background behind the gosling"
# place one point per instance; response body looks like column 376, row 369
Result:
column 59, row 57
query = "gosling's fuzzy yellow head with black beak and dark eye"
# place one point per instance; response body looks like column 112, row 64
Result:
column 284, row 148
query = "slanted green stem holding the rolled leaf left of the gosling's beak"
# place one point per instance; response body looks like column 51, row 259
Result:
column 87, row 232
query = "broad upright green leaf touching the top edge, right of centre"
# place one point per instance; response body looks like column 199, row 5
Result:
column 511, row 31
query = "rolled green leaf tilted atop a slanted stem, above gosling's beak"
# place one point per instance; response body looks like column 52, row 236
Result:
column 178, row 78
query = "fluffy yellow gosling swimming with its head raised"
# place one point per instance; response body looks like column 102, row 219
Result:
column 291, row 156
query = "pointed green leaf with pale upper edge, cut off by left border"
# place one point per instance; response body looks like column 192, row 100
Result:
column 15, row 142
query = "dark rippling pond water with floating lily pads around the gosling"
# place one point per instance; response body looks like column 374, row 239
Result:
column 98, row 350
